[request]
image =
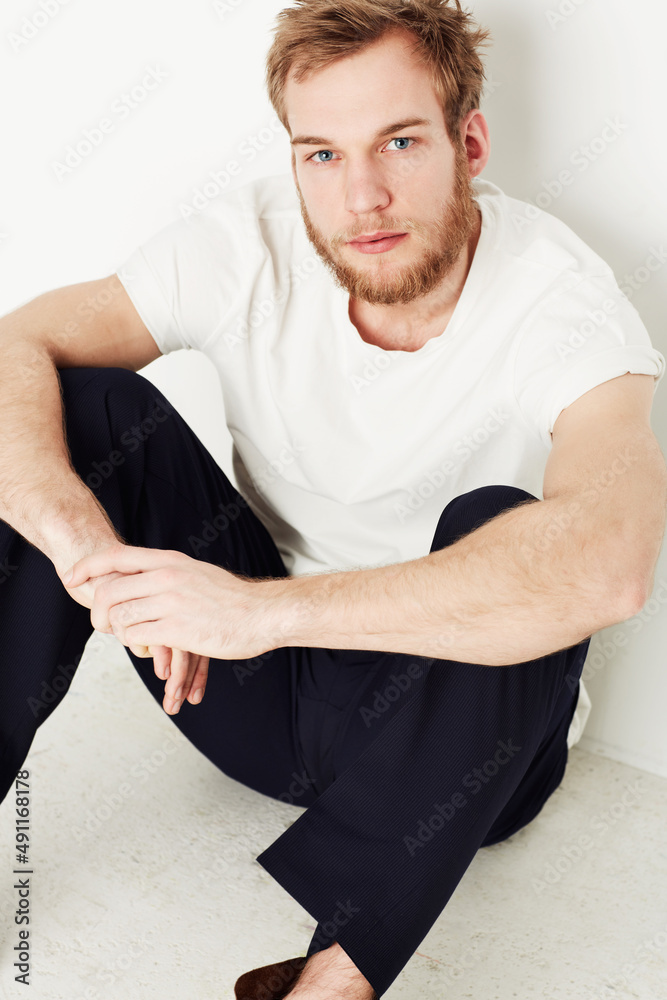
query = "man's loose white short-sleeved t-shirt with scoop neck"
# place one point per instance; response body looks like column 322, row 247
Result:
column 349, row 453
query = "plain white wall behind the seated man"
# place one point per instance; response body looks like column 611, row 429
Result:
column 558, row 70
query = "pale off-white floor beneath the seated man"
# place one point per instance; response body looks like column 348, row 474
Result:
column 162, row 898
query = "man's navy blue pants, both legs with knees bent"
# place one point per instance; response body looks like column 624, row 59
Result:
column 407, row 764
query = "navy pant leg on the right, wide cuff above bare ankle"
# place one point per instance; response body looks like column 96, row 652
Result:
column 464, row 756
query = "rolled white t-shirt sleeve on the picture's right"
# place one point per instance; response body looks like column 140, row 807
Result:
column 584, row 336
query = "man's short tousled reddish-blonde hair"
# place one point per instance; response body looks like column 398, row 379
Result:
column 315, row 33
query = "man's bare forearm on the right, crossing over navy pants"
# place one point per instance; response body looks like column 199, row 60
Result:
column 516, row 588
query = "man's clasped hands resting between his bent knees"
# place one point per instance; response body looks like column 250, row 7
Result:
column 180, row 610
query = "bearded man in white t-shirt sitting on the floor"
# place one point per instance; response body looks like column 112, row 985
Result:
column 405, row 621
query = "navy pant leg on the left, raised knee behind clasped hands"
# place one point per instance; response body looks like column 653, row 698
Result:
column 161, row 488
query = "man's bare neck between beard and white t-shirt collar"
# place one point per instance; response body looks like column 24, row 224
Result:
column 408, row 326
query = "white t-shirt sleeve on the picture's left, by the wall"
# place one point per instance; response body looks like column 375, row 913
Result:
column 186, row 279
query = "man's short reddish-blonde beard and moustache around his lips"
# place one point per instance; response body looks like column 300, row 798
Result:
column 442, row 243
